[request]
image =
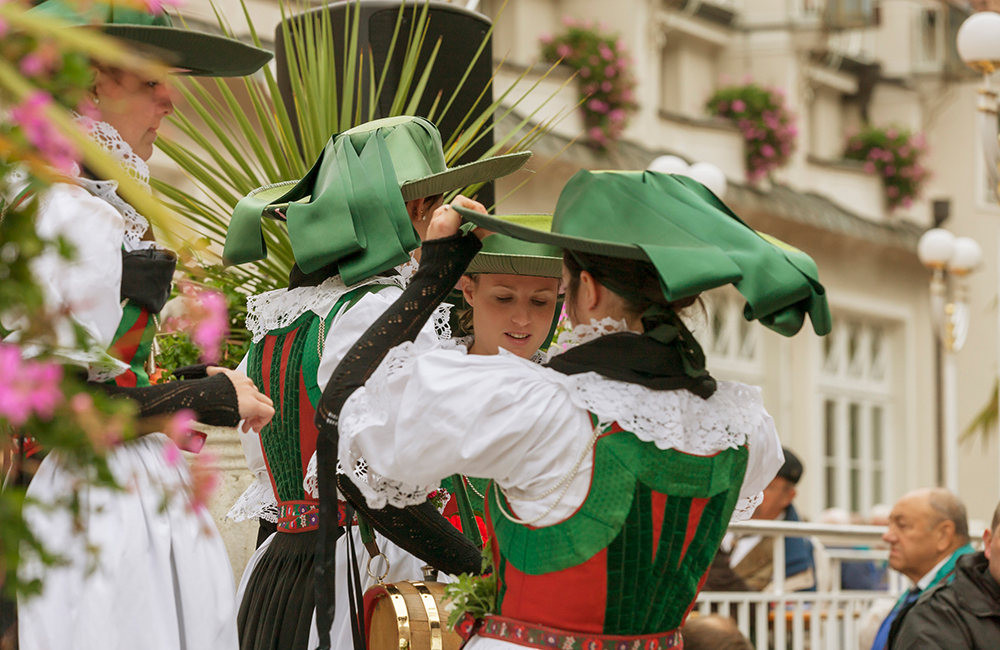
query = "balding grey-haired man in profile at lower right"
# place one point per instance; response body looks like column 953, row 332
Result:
column 928, row 531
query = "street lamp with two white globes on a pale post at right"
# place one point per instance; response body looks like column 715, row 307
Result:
column 951, row 259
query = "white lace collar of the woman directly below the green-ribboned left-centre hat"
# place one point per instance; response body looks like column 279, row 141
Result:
column 280, row 308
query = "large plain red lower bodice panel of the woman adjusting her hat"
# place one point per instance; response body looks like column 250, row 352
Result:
column 573, row 599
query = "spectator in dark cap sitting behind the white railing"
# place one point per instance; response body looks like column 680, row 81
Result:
column 751, row 557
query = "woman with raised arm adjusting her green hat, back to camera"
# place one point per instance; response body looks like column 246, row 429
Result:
column 616, row 467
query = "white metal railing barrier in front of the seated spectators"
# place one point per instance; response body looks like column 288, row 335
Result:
column 822, row 620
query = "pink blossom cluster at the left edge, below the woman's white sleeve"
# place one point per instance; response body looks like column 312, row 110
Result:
column 27, row 387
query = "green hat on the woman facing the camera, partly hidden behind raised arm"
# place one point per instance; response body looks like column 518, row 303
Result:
column 508, row 256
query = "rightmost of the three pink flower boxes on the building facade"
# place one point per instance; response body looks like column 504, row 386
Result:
column 895, row 155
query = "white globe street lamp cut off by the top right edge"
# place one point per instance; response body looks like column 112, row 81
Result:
column 979, row 46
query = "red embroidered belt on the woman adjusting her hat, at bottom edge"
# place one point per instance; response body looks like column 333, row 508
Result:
column 532, row 635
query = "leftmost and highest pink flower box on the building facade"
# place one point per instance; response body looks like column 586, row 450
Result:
column 604, row 74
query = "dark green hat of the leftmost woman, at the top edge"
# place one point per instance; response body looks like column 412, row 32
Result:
column 190, row 52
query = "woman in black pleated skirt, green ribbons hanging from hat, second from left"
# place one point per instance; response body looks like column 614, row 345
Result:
column 353, row 222
